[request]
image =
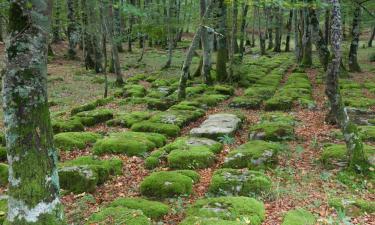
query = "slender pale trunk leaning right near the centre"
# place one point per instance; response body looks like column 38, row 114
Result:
column 190, row 54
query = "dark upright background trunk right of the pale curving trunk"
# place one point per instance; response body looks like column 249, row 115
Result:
column 353, row 61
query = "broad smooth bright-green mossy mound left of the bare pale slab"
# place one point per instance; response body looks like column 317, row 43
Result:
column 129, row 143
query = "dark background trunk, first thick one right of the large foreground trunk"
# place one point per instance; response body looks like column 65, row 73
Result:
column 73, row 36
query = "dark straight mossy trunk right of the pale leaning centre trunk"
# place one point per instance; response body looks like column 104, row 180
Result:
column 222, row 48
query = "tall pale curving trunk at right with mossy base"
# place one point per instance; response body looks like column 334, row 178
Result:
column 357, row 158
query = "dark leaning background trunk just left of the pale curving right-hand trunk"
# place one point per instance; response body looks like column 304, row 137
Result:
column 318, row 39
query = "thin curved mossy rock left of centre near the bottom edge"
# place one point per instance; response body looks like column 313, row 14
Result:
column 152, row 209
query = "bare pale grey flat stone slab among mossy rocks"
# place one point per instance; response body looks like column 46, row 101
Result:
column 217, row 125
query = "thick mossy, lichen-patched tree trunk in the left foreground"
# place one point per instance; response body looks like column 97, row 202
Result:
column 33, row 194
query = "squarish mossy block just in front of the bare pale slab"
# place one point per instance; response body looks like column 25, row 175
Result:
column 192, row 158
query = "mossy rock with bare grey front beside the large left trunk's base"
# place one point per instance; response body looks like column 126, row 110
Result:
column 84, row 173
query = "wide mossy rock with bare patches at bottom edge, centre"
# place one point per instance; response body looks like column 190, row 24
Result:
column 229, row 208
